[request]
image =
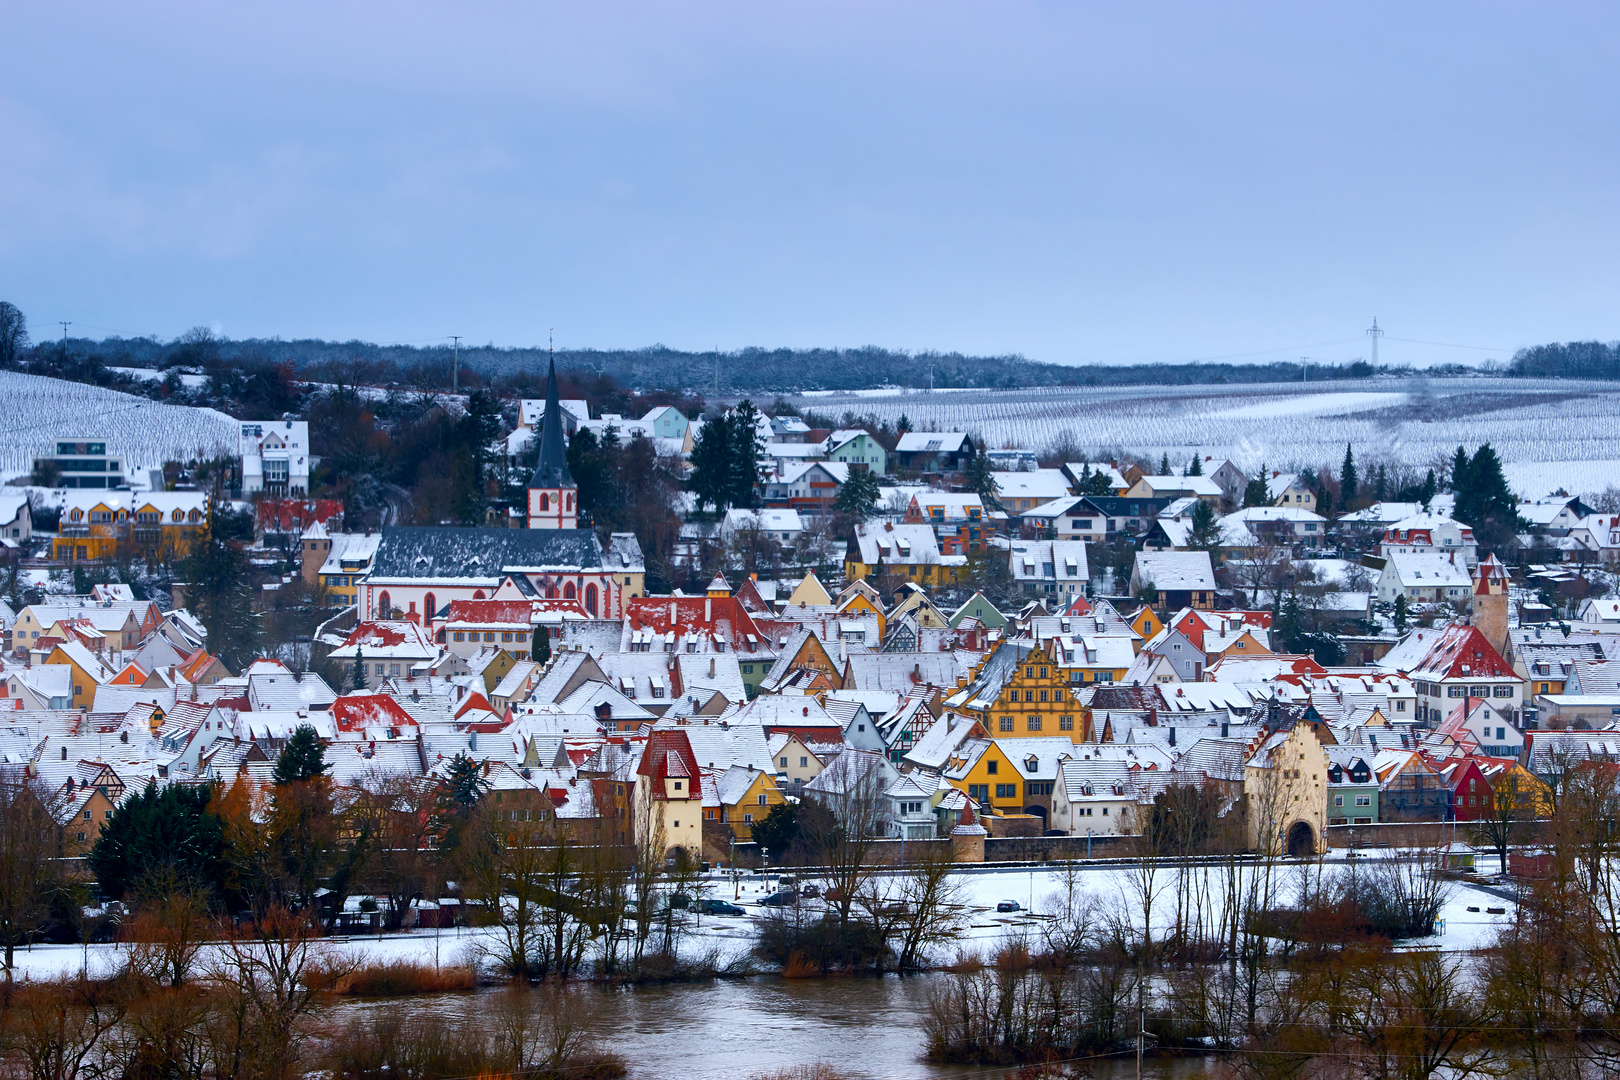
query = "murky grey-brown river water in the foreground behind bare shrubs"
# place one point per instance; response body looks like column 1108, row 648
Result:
column 868, row 1029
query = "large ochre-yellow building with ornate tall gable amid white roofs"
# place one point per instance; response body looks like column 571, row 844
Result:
column 1021, row 692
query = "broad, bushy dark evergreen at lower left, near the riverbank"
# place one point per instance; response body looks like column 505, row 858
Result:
column 171, row 828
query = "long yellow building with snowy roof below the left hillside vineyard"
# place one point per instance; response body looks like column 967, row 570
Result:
column 100, row 525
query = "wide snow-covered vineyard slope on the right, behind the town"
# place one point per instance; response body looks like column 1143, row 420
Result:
column 1550, row 433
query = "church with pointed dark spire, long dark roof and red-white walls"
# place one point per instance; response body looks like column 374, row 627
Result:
column 417, row 572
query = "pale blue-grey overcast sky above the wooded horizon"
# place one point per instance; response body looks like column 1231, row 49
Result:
column 1073, row 182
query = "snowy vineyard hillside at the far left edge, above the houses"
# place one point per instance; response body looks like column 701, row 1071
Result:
column 35, row 412
